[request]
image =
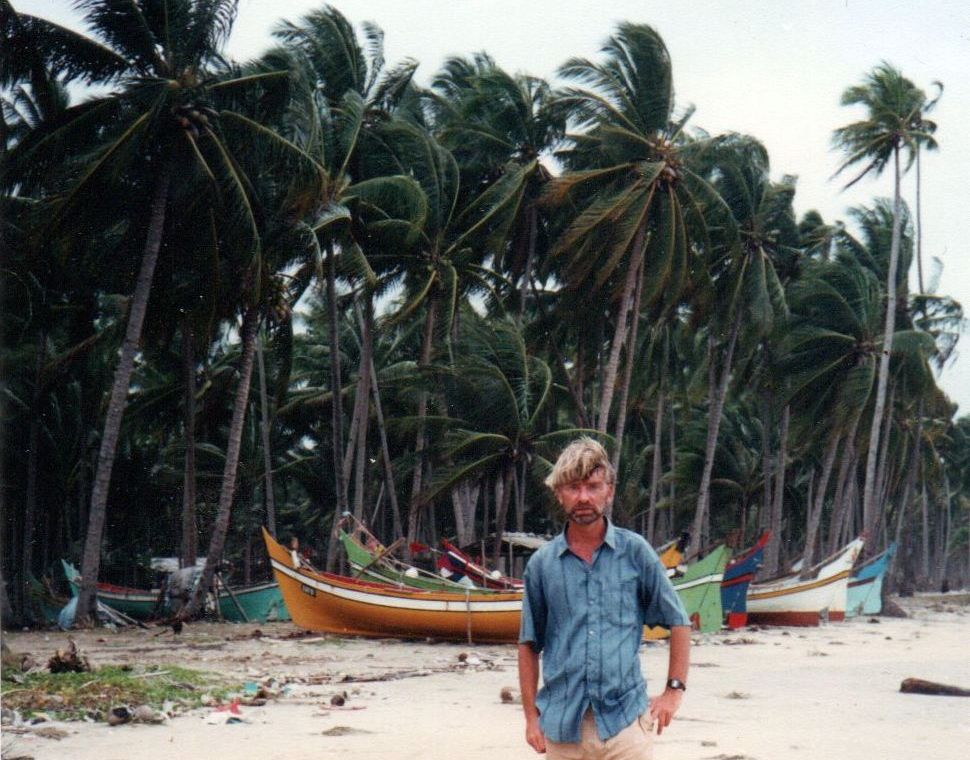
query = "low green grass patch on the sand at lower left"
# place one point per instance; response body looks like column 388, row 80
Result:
column 75, row 696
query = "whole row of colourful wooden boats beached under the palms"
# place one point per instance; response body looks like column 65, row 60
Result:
column 388, row 597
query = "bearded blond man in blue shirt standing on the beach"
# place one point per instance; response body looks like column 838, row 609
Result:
column 588, row 593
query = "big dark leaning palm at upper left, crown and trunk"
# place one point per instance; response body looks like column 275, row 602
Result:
column 156, row 135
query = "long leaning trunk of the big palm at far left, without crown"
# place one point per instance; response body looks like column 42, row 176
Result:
column 97, row 512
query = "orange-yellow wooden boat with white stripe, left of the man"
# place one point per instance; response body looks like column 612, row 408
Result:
column 320, row 601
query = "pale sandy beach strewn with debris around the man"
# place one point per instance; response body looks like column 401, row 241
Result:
column 764, row 694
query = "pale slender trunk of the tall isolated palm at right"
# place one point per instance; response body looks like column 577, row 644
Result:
column 870, row 516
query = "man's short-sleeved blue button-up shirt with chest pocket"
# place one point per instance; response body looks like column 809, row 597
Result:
column 587, row 621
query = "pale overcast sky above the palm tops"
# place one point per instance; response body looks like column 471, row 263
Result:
column 772, row 69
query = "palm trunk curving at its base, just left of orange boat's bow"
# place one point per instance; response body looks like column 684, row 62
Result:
column 220, row 529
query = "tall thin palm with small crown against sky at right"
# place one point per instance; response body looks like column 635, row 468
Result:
column 893, row 124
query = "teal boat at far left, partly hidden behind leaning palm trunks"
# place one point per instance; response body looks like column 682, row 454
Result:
column 248, row 604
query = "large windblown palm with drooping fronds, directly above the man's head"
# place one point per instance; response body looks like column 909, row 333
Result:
column 631, row 240
